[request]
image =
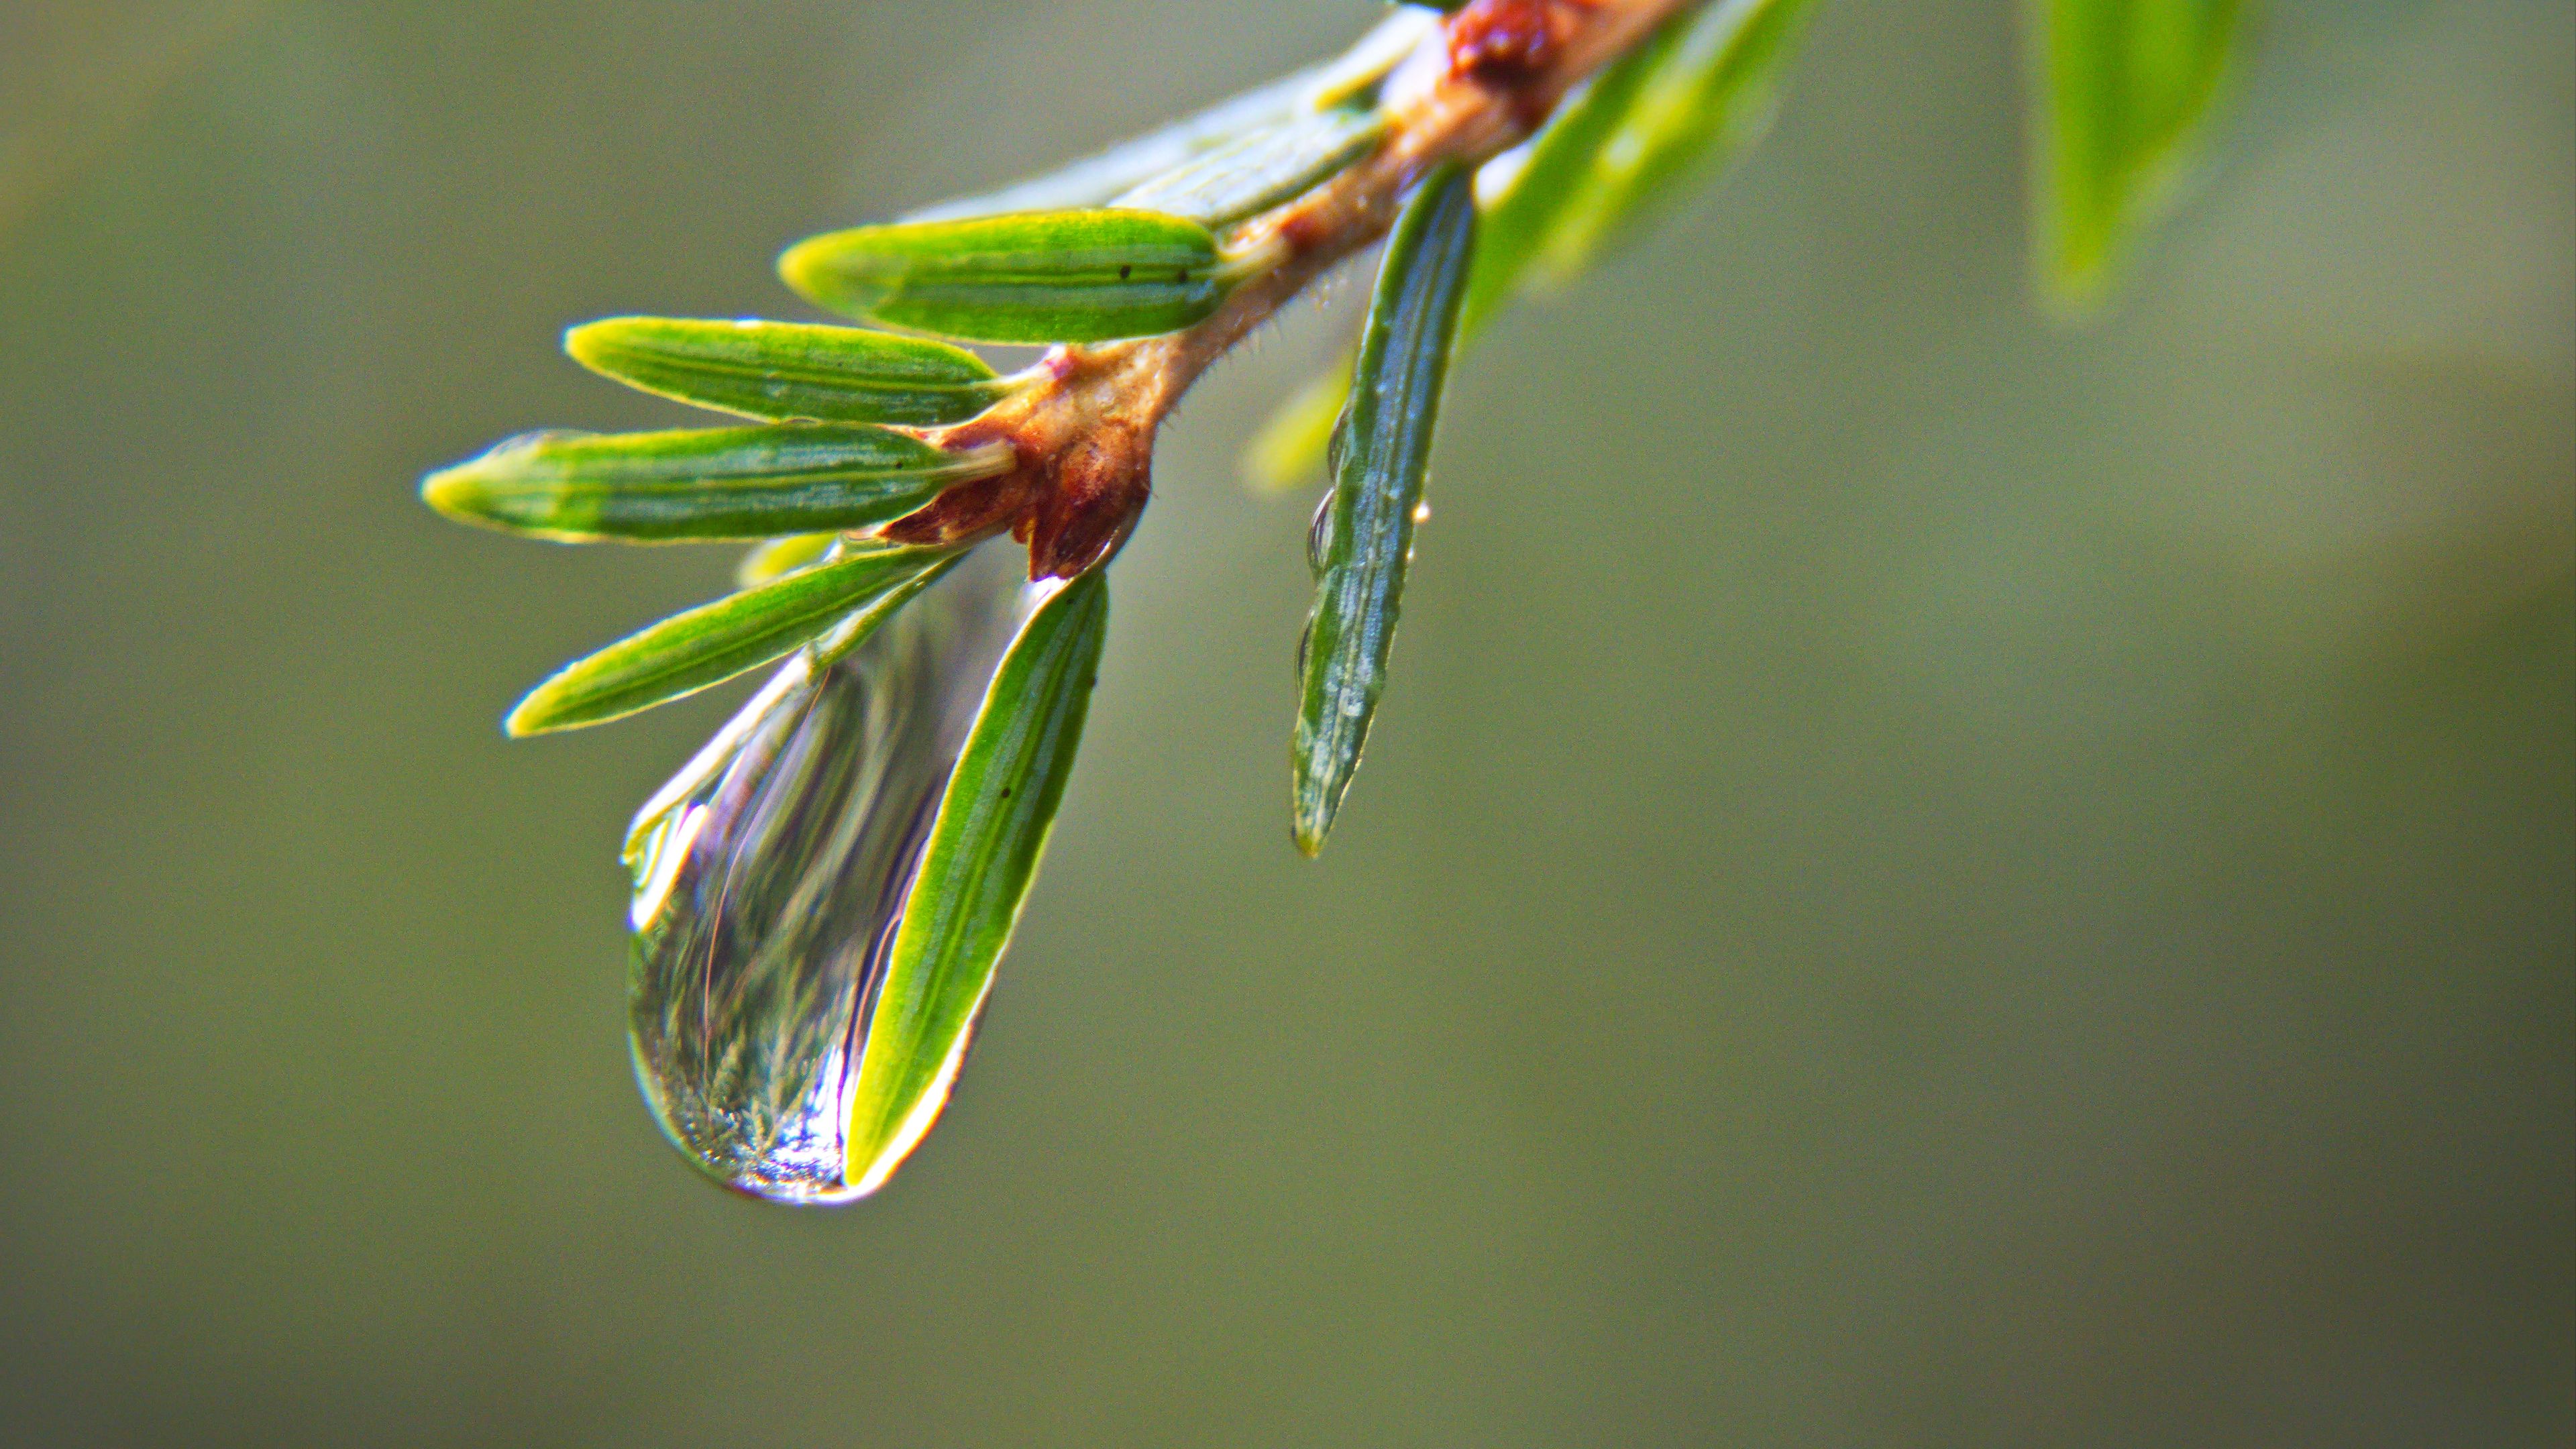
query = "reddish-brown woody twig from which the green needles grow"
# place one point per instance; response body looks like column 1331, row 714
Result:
column 1086, row 434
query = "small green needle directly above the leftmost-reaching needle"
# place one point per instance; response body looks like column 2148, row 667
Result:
column 792, row 373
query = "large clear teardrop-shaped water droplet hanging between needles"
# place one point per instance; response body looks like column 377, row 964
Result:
column 772, row 875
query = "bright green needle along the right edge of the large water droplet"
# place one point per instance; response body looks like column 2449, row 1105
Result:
column 975, row 875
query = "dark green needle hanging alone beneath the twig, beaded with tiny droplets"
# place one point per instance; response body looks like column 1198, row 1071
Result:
column 1382, row 460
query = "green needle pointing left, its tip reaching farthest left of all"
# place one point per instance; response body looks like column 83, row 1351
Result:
column 717, row 483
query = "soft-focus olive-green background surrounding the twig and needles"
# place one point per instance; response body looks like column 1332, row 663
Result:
column 1923, row 880
